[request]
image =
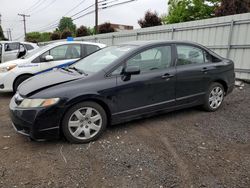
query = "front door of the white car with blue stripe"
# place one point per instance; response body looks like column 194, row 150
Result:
column 63, row 55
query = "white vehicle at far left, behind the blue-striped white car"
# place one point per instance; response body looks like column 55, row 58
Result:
column 10, row 50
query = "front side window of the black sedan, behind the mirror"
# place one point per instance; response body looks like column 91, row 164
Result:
column 152, row 59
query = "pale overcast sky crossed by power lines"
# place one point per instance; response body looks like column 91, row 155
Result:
column 46, row 13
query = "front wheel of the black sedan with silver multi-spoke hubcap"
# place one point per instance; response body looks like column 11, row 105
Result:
column 84, row 122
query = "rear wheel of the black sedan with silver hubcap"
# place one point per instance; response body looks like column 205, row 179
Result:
column 214, row 97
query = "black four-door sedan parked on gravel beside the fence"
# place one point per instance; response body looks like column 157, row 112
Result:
column 118, row 84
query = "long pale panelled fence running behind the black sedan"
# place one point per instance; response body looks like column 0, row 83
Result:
column 228, row 36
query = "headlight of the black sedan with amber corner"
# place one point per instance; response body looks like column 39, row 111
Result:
column 33, row 103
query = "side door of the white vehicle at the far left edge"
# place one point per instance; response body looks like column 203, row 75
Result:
column 10, row 51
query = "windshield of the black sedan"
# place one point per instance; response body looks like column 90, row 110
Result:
column 101, row 59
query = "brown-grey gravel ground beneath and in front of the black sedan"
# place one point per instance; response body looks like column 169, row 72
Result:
column 187, row 148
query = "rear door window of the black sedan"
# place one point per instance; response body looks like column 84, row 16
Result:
column 189, row 55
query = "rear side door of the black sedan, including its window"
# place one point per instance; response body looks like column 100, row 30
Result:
column 191, row 79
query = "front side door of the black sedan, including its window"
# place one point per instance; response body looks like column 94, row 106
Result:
column 151, row 90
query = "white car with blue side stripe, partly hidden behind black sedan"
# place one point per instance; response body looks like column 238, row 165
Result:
column 55, row 55
